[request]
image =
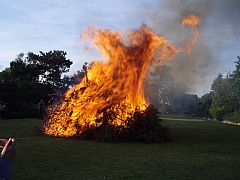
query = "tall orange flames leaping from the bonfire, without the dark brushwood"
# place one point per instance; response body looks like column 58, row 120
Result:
column 115, row 83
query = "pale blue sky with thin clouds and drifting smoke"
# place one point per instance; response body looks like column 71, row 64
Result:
column 44, row 25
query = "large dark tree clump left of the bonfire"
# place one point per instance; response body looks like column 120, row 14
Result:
column 32, row 77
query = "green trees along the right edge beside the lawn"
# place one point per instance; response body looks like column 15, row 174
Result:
column 224, row 96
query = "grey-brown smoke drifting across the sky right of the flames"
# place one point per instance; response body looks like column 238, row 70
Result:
column 215, row 46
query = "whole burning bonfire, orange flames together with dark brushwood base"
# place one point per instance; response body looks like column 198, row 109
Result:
column 109, row 104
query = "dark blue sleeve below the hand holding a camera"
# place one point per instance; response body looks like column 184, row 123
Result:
column 6, row 167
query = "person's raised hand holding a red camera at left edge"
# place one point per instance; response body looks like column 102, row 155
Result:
column 9, row 149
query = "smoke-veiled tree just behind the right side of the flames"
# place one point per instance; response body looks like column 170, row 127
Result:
column 165, row 93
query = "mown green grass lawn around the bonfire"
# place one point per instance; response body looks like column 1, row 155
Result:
column 198, row 150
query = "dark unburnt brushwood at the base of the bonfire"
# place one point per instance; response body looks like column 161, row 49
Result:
column 141, row 126
